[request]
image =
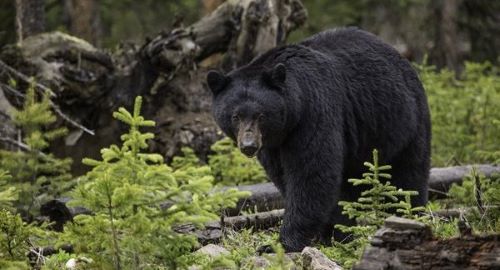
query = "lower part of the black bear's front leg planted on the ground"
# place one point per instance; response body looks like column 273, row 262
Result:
column 310, row 198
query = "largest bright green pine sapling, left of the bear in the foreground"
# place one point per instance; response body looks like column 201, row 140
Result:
column 138, row 202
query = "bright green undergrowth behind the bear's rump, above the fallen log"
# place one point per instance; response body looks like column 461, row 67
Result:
column 465, row 113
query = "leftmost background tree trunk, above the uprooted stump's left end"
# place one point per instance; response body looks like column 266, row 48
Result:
column 30, row 18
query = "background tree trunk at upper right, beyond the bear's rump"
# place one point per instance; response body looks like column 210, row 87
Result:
column 445, row 53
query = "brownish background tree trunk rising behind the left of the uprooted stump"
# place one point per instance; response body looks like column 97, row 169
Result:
column 83, row 19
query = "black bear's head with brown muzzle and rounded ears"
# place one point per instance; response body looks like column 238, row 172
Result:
column 250, row 107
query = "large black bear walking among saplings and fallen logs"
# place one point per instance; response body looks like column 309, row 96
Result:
column 313, row 112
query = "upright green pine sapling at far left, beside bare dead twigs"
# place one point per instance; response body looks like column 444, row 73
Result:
column 37, row 176
